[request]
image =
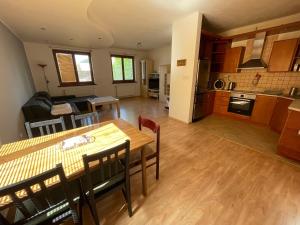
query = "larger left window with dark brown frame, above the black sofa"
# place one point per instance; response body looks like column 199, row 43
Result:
column 73, row 68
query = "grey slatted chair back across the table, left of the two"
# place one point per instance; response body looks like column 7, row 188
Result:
column 47, row 125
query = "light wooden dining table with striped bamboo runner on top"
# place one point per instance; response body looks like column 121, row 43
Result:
column 27, row 158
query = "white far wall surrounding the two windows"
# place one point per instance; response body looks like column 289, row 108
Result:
column 42, row 53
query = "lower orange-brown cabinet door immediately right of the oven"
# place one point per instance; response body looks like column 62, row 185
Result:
column 263, row 109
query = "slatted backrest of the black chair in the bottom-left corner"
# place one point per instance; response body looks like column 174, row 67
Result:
column 41, row 202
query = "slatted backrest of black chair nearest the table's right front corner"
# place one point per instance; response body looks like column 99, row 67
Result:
column 108, row 164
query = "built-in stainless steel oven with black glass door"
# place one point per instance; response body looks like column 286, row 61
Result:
column 241, row 103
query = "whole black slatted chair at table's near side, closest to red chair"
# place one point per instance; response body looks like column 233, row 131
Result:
column 104, row 173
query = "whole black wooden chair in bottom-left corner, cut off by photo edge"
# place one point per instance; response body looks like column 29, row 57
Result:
column 44, row 205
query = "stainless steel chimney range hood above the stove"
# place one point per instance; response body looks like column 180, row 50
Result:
column 255, row 61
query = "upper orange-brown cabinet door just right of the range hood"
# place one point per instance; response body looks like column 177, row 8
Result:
column 282, row 55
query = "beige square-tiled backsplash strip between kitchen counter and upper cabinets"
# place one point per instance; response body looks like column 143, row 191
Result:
column 268, row 81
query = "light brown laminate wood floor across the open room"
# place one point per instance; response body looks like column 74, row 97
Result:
column 208, row 176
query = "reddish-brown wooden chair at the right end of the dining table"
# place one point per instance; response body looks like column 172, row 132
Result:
column 150, row 153
